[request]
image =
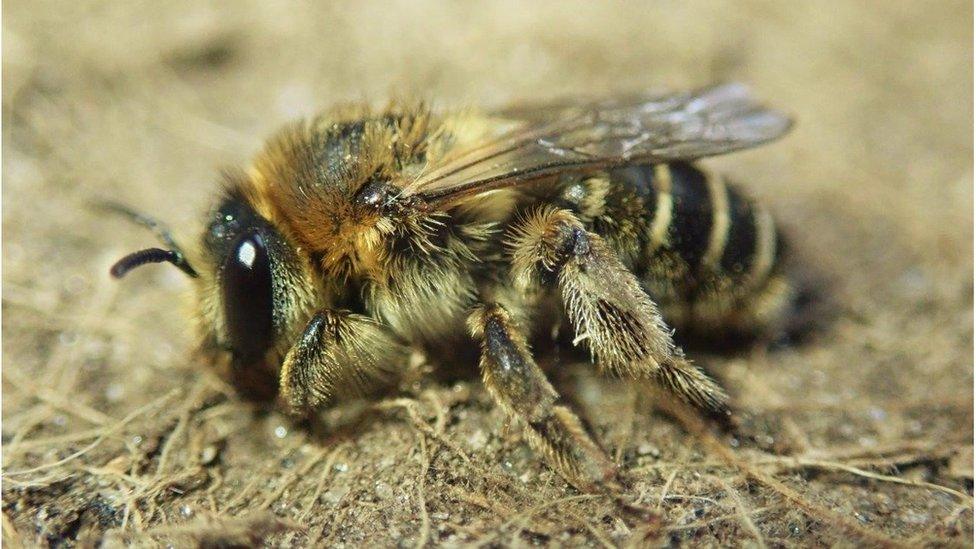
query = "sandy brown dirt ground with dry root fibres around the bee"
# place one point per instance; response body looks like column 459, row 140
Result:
column 111, row 432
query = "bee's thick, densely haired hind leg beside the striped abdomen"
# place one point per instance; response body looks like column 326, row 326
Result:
column 609, row 310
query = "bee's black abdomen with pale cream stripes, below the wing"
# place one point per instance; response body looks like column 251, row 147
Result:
column 705, row 252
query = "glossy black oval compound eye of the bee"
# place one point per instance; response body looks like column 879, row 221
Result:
column 248, row 297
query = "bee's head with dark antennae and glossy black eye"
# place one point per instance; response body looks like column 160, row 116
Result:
column 251, row 289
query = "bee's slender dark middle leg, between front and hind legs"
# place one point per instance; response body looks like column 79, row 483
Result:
column 519, row 386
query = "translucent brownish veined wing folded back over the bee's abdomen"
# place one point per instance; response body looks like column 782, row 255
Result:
column 556, row 139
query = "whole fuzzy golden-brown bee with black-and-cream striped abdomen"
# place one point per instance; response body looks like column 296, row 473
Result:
column 357, row 237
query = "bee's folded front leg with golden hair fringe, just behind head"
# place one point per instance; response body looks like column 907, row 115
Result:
column 338, row 353
